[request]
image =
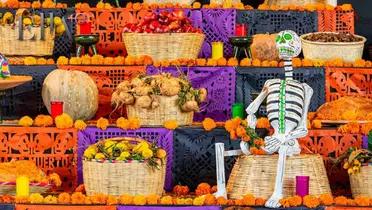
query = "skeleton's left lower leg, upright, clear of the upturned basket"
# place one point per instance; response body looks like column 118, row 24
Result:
column 220, row 164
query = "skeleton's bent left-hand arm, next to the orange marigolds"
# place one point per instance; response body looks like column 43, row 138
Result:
column 253, row 107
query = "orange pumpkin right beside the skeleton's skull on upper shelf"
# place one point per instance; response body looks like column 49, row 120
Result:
column 263, row 47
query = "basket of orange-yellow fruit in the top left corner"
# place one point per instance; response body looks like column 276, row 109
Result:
column 32, row 43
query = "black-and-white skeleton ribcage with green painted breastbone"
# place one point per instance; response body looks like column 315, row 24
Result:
column 293, row 101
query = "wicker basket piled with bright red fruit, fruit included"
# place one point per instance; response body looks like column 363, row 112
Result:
column 167, row 36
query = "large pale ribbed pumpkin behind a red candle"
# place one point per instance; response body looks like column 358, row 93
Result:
column 76, row 89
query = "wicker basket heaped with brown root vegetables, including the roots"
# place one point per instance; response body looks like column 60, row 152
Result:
column 159, row 98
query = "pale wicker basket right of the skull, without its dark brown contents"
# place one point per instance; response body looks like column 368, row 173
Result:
column 347, row 51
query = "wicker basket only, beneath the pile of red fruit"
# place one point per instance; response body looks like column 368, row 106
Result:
column 170, row 46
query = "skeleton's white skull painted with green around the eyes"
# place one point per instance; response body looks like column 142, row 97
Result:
column 288, row 44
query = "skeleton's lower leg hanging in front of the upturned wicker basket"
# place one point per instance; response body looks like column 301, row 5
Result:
column 273, row 202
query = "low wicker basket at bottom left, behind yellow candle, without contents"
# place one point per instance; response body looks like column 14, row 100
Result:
column 9, row 188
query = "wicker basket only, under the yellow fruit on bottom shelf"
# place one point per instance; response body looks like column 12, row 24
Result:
column 119, row 177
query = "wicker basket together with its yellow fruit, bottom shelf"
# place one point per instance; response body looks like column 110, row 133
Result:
column 124, row 165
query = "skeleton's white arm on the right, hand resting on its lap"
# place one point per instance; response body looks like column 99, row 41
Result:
column 301, row 131
